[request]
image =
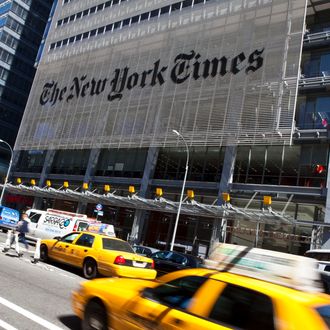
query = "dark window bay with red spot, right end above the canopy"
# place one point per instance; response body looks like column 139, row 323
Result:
column 282, row 165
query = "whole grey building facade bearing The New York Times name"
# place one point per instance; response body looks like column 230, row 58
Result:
column 243, row 82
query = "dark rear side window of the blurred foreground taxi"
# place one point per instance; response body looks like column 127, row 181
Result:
column 244, row 309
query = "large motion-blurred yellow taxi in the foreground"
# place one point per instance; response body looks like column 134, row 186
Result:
column 208, row 299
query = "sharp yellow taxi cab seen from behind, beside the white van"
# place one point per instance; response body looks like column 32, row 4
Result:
column 97, row 254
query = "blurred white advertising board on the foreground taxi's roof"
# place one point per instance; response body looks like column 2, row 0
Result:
column 271, row 266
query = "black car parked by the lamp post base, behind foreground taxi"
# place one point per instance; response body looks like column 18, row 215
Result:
column 169, row 261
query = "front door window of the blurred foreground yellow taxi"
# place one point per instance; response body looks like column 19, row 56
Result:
column 177, row 293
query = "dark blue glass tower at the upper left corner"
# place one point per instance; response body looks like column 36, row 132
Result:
column 22, row 24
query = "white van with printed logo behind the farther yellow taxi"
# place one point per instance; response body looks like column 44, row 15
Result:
column 54, row 223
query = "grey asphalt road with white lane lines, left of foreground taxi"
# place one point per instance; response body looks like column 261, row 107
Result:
column 35, row 296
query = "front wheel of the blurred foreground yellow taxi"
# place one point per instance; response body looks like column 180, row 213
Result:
column 95, row 317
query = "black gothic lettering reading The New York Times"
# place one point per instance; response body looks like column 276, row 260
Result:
column 186, row 65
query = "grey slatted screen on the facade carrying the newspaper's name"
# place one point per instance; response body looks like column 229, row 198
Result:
column 219, row 72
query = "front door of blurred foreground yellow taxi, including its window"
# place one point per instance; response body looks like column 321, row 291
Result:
column 149, row 310
